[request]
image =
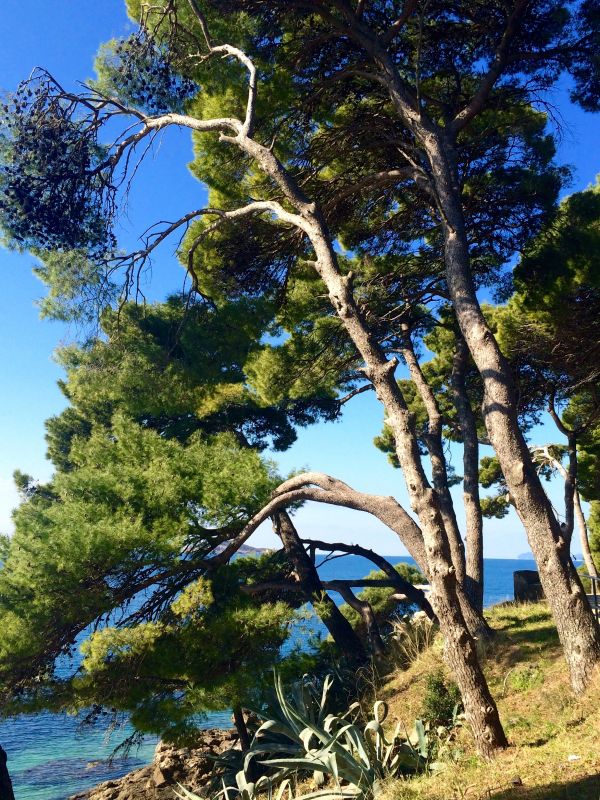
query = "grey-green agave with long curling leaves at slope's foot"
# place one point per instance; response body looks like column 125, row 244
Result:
column 300, row 736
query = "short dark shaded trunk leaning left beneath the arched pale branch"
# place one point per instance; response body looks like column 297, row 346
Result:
column 342, row 632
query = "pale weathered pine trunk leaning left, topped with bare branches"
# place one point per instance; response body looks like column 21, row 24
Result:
column 479, row 705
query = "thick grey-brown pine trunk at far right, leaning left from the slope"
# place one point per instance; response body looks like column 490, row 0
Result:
column 577, row 627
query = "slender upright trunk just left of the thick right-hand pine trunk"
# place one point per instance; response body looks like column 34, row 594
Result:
column 473, row 515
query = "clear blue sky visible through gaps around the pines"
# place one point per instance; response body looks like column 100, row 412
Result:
column 63, row 36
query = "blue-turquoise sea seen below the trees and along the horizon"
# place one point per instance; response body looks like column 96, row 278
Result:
column 52, row 756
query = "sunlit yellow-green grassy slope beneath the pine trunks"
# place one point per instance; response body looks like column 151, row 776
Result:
column 544, row 721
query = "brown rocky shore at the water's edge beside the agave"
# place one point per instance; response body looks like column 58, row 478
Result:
column 190, row 767
